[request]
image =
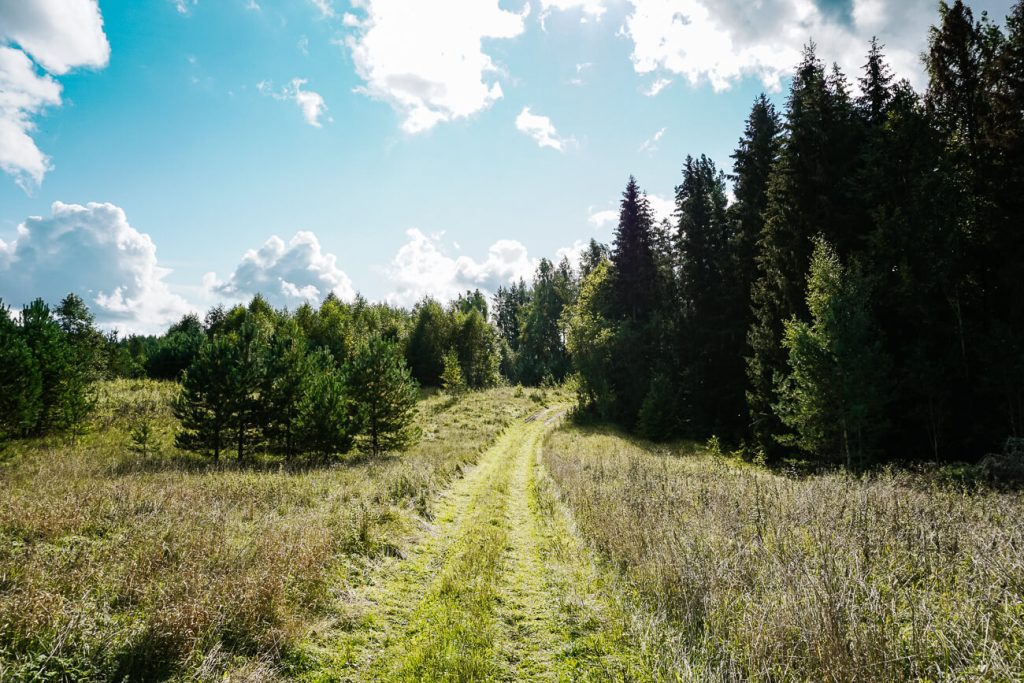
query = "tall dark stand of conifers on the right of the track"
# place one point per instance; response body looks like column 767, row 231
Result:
column 863, row 295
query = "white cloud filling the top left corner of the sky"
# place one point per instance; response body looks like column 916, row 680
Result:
column 59, row 36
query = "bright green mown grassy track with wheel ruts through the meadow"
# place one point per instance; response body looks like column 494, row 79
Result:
column 501, row 590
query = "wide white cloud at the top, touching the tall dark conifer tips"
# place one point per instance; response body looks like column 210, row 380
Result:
column 721, row 42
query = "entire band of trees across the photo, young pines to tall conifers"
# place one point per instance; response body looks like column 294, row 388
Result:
column 859, row 302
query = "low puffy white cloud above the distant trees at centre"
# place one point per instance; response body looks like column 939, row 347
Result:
column 421, row 268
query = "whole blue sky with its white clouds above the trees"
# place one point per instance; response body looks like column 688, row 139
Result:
column 164, row 156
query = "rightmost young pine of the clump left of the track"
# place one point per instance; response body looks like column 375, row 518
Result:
column 385, row 396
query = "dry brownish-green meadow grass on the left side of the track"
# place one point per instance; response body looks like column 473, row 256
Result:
column 115, row 566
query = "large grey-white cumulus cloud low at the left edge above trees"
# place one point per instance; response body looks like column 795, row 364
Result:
column 94, row 251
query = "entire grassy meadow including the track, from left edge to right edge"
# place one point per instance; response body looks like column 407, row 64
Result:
column 508, row 545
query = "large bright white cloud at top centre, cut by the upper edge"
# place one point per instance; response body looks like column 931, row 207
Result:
column 426, row 60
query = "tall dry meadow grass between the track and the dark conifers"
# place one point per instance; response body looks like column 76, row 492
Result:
column 742, row 574
